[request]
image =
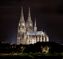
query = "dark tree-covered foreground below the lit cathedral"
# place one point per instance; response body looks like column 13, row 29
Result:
column 32, row 51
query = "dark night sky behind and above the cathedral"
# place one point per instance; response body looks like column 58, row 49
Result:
column 49, row 15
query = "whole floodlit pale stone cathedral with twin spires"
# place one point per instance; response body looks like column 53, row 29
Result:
column 27, row 32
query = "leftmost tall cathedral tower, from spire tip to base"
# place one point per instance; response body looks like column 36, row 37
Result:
column 21, row 27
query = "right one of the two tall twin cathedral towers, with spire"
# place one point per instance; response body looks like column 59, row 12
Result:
column 29, row 23
